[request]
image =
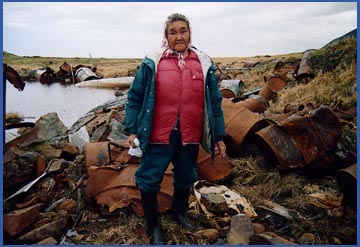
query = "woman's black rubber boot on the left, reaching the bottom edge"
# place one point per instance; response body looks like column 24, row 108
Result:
column 150, row 205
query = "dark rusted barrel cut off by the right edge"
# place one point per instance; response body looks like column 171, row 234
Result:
column 347, row 180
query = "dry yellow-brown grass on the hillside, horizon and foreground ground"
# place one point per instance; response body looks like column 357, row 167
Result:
column 334, row 84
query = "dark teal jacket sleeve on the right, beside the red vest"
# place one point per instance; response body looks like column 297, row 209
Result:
column 216, row 99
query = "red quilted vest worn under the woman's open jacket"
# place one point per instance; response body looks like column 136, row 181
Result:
column 178, row 93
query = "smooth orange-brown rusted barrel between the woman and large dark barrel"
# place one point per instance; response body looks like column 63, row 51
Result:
column 239, row 123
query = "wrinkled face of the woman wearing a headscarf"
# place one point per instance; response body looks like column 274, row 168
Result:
column 178, row 35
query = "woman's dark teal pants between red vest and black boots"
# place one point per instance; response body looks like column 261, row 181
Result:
column 157, row 158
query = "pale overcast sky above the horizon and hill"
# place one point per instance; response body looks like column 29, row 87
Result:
column 132, row 29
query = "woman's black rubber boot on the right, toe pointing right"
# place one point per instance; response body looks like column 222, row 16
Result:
column 179, row 205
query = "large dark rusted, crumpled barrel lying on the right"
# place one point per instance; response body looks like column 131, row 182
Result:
column 299, row 140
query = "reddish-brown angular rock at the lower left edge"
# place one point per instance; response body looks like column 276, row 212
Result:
column 17, row 221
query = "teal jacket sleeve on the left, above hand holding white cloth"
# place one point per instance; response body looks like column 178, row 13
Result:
column 135, row 100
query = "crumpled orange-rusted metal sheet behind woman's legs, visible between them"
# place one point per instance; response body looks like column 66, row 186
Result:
column 115, row 187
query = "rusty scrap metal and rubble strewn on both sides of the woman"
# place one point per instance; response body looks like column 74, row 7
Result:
column 53, row 174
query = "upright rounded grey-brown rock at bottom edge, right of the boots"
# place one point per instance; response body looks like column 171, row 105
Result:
column 241, row 229
